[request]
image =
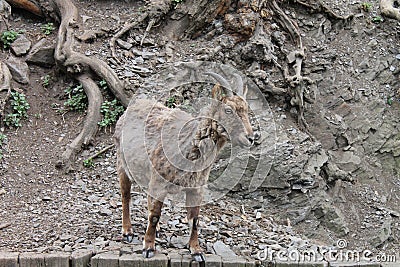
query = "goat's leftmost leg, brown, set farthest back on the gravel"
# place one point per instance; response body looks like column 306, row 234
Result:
column 125, row 185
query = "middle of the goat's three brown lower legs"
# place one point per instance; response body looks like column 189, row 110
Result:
column 154, row 207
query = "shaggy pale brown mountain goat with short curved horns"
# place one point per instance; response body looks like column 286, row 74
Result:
column 169, row 150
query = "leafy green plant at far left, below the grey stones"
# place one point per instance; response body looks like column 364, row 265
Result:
column 19, row 107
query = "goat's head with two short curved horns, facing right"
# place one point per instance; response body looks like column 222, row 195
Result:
column 230, row 111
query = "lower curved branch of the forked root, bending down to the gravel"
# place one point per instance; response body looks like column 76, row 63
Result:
column 90, row 127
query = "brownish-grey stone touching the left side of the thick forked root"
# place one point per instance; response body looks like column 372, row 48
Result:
column 42, row 54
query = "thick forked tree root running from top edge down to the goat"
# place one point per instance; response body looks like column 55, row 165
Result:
column 79, row 65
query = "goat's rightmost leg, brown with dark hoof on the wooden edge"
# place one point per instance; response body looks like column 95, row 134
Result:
column 193, row 201
